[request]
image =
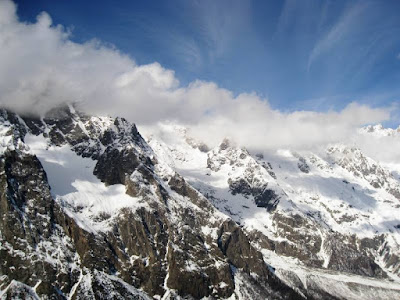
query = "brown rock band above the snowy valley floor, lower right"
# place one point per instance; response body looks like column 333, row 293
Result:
column 302, row 239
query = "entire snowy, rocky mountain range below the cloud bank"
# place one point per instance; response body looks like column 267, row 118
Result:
column 89, row 209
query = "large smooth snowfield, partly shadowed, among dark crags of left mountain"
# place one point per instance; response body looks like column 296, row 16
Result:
column 82, row 195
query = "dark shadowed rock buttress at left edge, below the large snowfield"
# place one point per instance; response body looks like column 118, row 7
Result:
column 30, row 237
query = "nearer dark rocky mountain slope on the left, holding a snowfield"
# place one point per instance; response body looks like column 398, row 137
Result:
column 89, row 211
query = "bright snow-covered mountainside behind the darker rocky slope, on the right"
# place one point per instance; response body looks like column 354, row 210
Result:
column 328, row 219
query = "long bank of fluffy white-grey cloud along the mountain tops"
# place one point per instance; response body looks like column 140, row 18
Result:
column 41, row 68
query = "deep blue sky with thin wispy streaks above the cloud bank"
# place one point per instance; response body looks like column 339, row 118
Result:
column 312, row 55
